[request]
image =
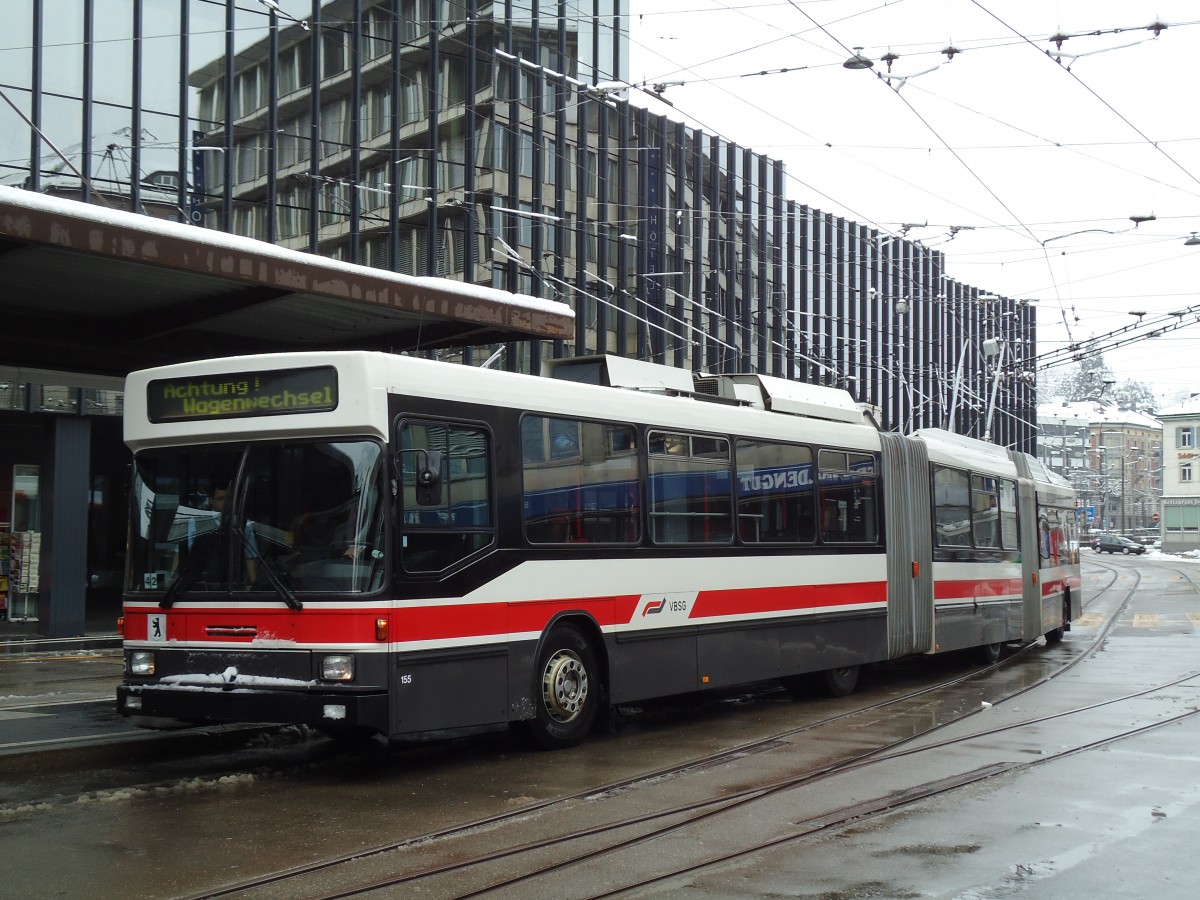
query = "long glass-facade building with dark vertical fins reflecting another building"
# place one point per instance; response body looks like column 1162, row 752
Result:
column 496, row 143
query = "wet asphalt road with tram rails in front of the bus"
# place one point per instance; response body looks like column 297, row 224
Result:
column 125, row 814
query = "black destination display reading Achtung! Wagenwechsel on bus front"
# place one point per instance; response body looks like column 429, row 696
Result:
column 280, row 392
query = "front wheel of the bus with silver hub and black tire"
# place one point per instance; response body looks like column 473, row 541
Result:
column 567, row 692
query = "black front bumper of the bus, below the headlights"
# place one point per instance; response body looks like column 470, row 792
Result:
column 201, row 704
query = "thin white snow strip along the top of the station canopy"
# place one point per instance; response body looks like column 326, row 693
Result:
column 251, row 247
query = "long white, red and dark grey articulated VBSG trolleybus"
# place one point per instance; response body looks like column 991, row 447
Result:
column 377, row 544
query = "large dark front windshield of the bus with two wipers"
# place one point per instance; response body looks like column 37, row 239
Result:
column 289, row 518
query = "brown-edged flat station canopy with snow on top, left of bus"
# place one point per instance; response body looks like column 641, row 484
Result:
column 105, row 292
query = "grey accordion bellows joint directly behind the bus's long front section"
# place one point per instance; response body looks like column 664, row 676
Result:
column 910, row 545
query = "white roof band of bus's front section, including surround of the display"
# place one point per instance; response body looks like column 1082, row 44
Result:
column 365, row 380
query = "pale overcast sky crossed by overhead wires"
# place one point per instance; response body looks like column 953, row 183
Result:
column 997, row 157
